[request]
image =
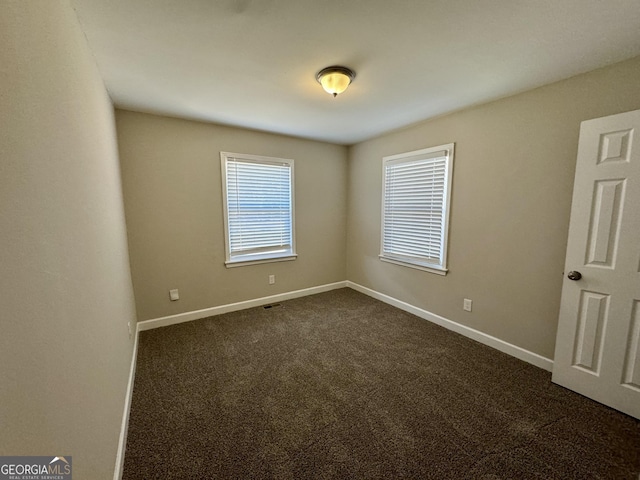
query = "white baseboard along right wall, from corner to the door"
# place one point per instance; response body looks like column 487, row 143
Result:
column 505, row 347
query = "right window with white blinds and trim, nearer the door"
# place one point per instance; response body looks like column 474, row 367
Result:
column 416, row 194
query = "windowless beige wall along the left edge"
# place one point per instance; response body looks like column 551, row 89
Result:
column 65, row 286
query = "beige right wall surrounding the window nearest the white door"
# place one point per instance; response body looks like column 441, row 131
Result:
column 512, row 185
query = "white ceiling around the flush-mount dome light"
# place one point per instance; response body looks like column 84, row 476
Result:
column 252, row 63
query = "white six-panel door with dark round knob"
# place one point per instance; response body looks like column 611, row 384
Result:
column 598, row 342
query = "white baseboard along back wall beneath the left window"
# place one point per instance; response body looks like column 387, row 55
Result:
column 232, row 307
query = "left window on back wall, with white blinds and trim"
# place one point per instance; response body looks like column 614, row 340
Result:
column 258, row 209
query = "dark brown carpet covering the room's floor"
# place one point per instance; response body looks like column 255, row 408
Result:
column 339, row 385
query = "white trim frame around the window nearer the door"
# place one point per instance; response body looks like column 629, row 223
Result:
column 439, row 269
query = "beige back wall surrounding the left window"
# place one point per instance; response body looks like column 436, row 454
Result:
column 173, row 194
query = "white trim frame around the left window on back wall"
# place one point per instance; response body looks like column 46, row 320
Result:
column 254, row 259
